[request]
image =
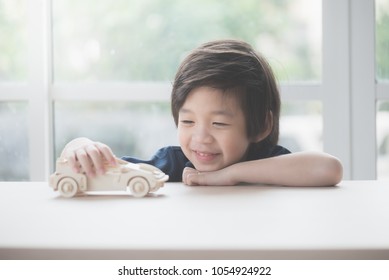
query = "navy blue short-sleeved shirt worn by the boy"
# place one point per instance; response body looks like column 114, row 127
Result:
column 172, row 161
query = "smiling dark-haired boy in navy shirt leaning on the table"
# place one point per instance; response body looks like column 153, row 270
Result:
column 226, row 106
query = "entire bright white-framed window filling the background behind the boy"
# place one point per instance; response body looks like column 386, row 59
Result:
column 104, row 70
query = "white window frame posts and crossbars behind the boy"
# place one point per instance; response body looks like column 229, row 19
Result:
column 348, row 48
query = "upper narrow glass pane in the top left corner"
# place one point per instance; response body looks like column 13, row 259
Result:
column 13, row 54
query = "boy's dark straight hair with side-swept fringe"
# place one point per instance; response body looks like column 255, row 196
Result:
column 234, row 67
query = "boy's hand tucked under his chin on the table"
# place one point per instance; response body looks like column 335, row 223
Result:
column 192, row 177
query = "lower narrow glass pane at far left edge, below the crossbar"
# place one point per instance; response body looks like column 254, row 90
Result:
column 14, row 159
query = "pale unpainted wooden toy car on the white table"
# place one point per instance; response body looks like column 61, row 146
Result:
column 139, row 179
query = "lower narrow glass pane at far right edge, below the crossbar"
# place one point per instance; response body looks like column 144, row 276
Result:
column 383, row 140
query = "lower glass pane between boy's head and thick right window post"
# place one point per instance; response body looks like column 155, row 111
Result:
column 301, row 126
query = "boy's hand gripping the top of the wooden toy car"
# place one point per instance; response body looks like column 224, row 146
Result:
column 88, row 155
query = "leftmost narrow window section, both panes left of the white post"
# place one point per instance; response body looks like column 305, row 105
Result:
column 14, row 156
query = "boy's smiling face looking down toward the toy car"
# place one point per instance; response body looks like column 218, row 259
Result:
column 212, row 129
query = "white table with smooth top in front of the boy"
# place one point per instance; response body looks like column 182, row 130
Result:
column 349, row 221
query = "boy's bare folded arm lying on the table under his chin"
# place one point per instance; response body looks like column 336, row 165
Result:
column 297, row 169
